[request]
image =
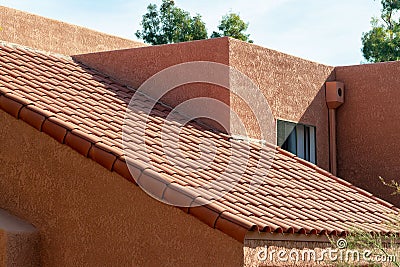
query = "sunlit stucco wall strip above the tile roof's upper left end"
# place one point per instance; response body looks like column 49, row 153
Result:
column 55, row 36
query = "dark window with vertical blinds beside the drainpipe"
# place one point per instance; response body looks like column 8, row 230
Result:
column 298, row 139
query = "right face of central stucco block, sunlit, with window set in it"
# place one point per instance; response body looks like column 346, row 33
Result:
column 293, row 87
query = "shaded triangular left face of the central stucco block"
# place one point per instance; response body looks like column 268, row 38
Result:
column 134, row 66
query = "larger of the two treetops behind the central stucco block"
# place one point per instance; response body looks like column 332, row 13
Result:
column 170, row 24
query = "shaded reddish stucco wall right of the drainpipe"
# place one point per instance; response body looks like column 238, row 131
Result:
column 368, row 127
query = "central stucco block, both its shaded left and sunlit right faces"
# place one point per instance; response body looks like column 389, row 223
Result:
column 293, row 87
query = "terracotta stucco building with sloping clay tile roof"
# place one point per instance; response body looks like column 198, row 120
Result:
column 92, row 154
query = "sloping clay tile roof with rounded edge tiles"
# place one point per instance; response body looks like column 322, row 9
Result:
column 85, row 110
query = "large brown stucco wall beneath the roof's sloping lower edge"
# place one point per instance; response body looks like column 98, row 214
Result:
column 88, row 216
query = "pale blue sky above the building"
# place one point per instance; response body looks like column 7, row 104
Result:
column 327, row 32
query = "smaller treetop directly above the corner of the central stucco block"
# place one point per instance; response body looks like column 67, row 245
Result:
column 233, row 26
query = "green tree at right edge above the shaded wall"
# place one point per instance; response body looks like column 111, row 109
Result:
column 382, row 42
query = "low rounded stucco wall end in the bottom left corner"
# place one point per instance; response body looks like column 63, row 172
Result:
column 19, row 241
